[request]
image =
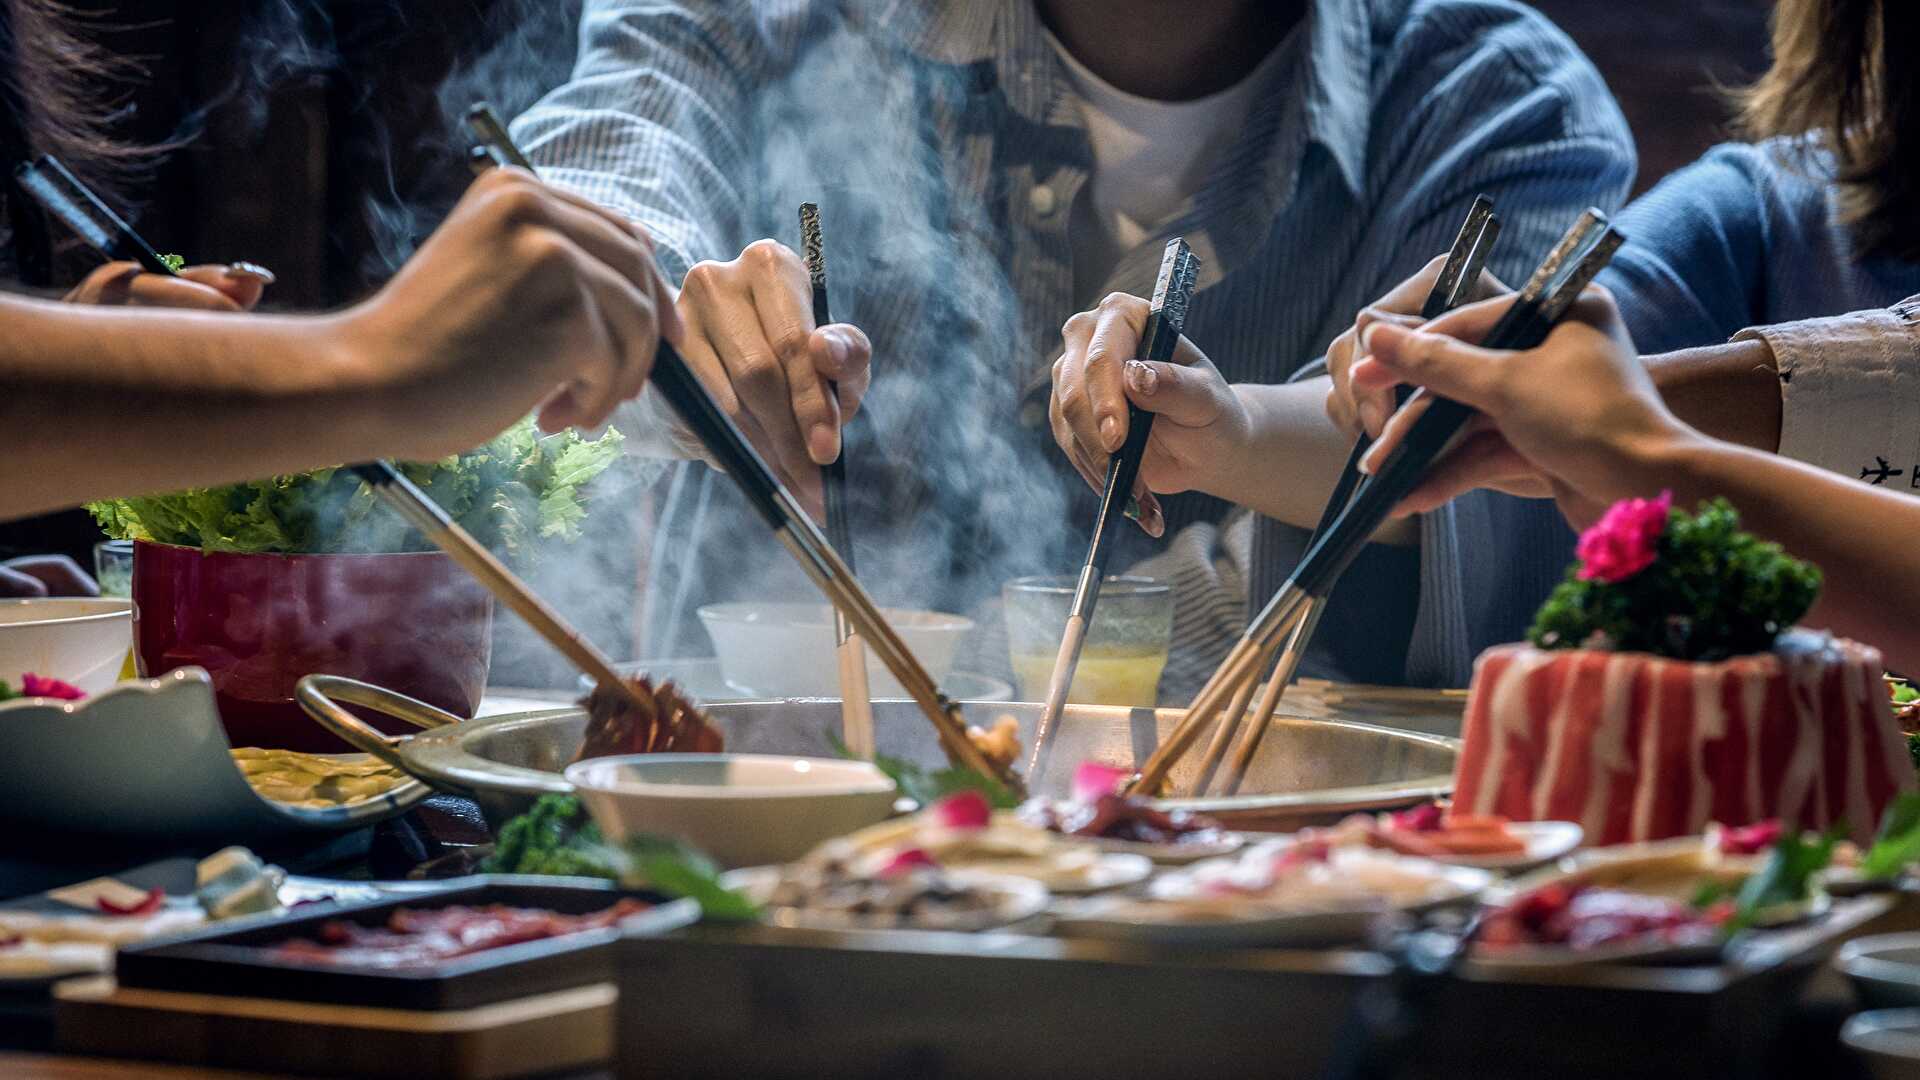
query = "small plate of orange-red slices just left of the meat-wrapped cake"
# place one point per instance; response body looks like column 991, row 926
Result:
column 1433, row 831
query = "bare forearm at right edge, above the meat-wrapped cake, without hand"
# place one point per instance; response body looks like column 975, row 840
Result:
column 1860, row 537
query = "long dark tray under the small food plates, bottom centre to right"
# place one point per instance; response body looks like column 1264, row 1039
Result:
column 765, row 1002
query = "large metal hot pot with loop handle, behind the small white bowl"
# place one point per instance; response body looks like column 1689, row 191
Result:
column 1308, row 772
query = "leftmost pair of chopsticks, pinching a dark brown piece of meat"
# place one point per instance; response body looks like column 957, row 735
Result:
column 70, row 201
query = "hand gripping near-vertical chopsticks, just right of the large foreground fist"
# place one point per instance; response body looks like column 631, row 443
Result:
column 754, row 343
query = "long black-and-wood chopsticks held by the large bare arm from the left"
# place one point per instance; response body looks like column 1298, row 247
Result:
column 790, row 524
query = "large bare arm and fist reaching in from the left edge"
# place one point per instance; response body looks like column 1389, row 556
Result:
column 523, row 291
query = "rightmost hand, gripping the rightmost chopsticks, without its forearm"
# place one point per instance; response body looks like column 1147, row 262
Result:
column 1577, row 418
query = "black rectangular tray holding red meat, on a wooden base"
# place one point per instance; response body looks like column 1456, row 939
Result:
column 235, row 960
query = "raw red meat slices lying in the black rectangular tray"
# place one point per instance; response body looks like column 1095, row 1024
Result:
column 427, row 937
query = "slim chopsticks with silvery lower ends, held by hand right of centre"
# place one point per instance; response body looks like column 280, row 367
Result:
column 1164, row 326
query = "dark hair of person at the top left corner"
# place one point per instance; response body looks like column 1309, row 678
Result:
column 59, row 93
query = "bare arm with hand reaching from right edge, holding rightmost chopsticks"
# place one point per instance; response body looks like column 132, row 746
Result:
column 1583, row 414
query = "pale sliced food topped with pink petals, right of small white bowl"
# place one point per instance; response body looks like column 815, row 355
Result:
column 965, row 833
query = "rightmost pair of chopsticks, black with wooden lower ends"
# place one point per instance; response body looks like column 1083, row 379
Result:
column 1548, row 295
